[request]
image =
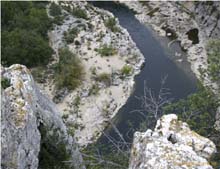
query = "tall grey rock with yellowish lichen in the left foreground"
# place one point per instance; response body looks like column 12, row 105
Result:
column 24, row 109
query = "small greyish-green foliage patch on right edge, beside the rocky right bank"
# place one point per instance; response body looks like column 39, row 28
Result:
column 213, row 50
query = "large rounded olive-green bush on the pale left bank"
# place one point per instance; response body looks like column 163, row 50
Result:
column 69, row 70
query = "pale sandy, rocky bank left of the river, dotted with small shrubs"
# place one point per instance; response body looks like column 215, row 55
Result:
column 88, row 109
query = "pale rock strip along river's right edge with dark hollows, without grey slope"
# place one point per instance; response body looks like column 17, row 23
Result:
column 171, row 20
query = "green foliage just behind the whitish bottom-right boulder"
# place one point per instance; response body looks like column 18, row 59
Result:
column 198, row 110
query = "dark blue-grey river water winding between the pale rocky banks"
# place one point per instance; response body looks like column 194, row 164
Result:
column 160, row 61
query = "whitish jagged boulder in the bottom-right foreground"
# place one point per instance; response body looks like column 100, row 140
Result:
column 171, row 145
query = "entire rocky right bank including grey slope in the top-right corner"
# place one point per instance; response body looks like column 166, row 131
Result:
column 190, row 24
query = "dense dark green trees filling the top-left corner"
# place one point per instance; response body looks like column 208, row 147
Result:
column 24, row 33
